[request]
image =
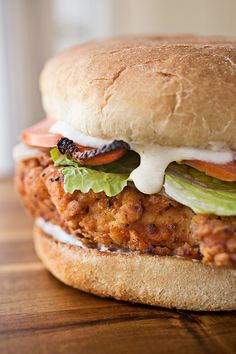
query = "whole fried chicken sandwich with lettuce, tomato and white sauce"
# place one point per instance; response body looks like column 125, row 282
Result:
column 131, row 178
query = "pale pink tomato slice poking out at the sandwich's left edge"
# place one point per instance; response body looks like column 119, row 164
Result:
column 38, row 135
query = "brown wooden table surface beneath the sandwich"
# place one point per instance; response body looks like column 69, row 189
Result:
column 38, row 314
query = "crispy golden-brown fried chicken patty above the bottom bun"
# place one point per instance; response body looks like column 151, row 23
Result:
column 131, row 220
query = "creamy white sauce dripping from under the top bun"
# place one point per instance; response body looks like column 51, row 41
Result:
column 154, row 159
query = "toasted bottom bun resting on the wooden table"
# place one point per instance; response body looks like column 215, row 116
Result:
column 161, row 281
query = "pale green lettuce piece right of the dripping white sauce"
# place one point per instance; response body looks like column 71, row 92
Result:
column 202, row 193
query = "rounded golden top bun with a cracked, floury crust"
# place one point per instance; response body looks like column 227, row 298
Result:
column 173, row 91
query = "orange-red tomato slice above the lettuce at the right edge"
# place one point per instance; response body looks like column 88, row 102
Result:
column 224, row 172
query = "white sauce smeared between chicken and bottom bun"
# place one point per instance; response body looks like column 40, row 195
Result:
column 57, row 233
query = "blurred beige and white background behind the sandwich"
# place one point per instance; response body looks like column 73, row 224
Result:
column 32, row 30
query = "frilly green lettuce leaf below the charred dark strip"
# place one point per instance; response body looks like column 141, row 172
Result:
column 77, row 177
